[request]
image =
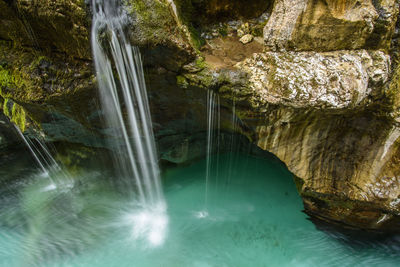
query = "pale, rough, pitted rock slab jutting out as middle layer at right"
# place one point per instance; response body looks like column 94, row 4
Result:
column 335, row 80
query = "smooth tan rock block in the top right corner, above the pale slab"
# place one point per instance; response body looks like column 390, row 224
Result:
column 326, row 25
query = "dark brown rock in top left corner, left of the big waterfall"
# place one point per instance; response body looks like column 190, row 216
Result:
column 52, row 26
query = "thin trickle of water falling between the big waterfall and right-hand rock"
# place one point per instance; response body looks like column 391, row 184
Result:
column 213, row 123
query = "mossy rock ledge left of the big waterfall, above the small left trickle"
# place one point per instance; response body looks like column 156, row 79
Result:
column 39, row 84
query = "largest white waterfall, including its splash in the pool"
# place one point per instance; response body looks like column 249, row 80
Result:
column 136, row 157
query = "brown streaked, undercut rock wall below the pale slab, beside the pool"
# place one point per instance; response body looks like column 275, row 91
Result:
column 348, row 163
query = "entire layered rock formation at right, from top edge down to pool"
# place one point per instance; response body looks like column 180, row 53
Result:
column 324, row 101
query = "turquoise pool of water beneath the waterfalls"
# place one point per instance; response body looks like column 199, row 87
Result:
column 252, row 218
